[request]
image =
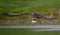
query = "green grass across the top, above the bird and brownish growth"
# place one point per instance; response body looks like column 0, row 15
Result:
column 27, row 5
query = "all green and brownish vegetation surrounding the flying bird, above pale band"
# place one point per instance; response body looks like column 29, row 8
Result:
column 44, row 7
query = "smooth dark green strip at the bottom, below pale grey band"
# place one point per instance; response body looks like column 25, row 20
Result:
column 21, row 31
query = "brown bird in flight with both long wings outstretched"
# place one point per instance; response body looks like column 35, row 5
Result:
column 34, row 15
